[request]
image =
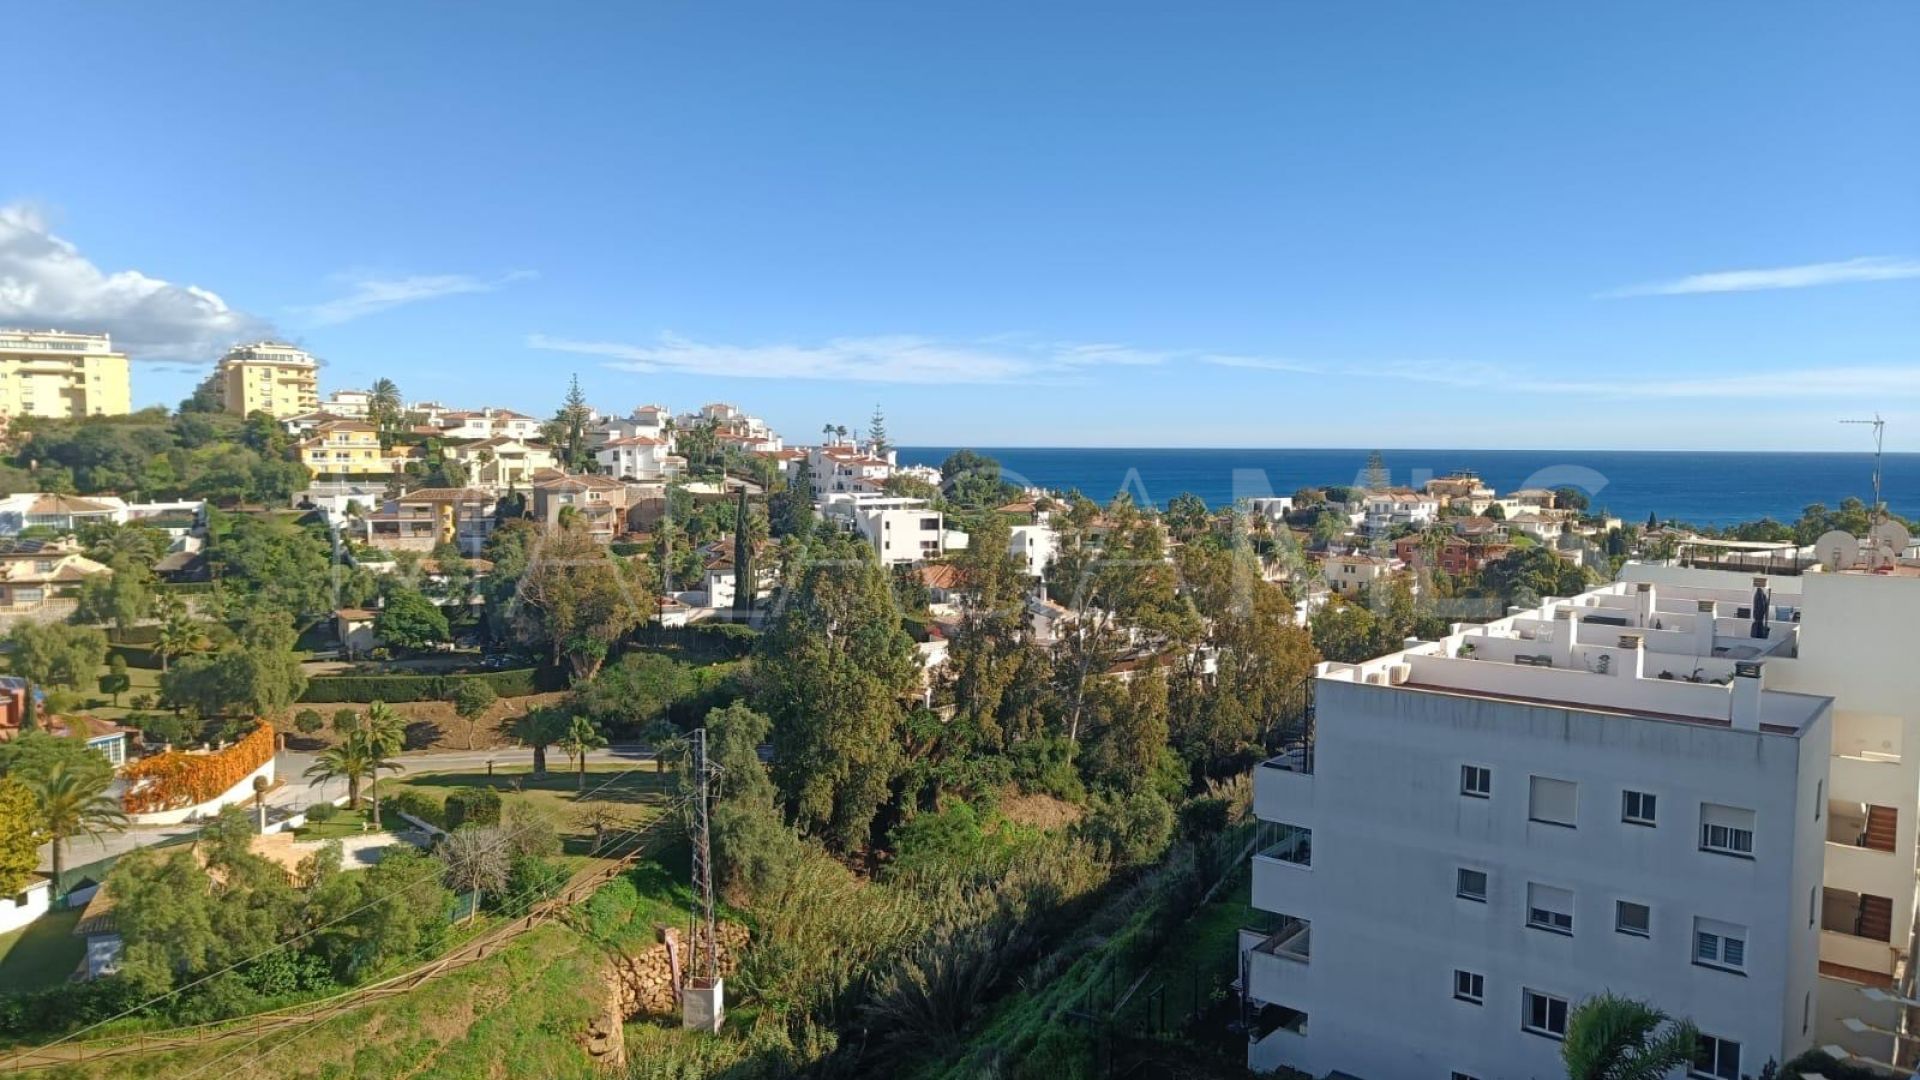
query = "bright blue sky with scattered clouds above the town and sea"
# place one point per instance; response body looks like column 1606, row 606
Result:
column 1278, row 224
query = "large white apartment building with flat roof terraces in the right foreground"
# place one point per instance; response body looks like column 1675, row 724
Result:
column 1489, row 829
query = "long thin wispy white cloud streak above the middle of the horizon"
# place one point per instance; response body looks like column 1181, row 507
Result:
column 886, row 358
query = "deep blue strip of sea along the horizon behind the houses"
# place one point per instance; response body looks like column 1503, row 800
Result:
column 1673, row 485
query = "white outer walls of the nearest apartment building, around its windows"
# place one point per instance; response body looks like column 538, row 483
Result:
column 1393, row 829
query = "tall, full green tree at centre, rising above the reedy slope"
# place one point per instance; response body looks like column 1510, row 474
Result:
column 832, row 674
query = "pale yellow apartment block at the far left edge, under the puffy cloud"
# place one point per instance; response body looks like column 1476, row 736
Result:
column 53, row 374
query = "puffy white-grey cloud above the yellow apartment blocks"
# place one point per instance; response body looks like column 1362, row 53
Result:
column 45, row 283
